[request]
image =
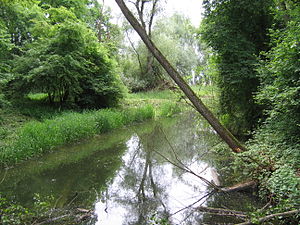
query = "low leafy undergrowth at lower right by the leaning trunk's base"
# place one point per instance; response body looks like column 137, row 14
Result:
column 274, row 163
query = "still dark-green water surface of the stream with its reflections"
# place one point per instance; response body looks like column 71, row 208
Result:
column 129, row 176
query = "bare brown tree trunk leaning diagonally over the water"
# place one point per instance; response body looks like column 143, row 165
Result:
column 233, row 143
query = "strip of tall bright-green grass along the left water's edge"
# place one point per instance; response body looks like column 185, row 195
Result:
column 37, row 137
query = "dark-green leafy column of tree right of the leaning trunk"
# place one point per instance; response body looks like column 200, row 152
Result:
column 237, row 32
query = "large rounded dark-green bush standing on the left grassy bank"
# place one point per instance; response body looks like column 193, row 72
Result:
column 70, row 67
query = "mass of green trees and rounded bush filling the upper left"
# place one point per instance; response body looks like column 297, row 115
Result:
column 52, row 50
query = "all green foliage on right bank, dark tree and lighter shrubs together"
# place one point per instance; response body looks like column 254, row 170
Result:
column 258, row 68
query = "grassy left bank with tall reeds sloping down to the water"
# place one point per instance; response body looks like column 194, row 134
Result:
column 33, row 127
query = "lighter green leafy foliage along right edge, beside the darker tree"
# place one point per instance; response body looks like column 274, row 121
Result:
column 280, row 93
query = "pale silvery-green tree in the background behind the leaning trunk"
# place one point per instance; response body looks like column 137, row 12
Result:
column 175, row 38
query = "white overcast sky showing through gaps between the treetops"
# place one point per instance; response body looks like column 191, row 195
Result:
column 190, row 8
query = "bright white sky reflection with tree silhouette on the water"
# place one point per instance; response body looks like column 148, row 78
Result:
column 147, row 185
